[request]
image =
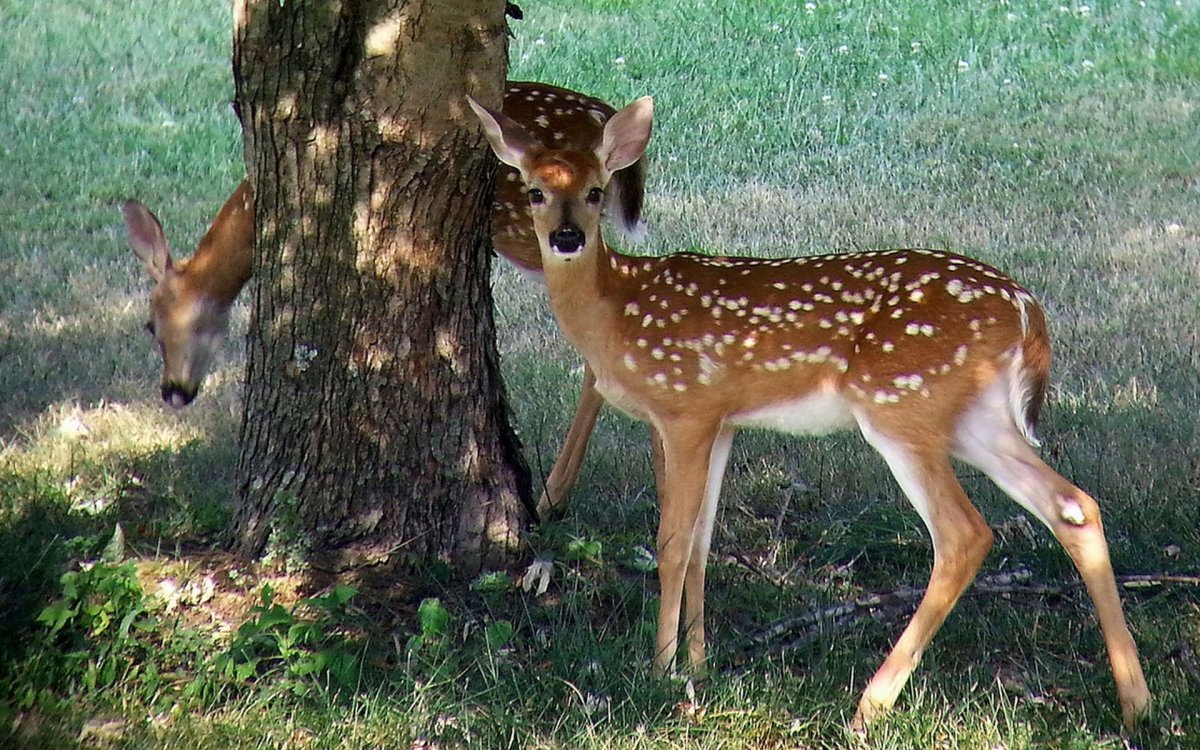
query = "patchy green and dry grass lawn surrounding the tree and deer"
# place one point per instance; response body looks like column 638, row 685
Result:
column 1058, row 143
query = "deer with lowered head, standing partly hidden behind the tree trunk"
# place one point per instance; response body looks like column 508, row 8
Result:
column 191, row 299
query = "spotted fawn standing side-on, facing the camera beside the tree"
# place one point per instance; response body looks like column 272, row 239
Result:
column 929, row 355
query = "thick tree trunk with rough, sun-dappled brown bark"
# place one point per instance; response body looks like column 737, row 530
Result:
column 375, row 418
